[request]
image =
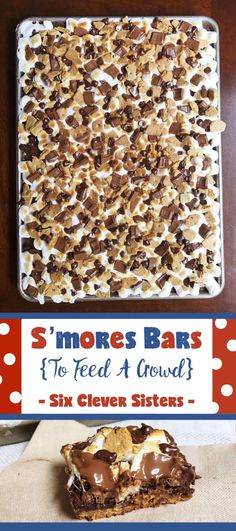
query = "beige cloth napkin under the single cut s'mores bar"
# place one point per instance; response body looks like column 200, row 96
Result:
column 32, row 489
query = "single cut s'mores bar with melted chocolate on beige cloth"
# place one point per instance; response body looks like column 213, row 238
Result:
column 122, row 469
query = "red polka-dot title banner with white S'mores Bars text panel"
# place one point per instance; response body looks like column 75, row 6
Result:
column 122, row 365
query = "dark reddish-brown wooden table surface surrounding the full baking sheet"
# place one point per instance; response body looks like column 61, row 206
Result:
column 13, row 11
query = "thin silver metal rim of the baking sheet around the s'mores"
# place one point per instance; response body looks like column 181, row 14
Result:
column 61, row 21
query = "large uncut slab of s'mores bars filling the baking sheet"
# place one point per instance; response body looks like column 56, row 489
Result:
column 119, row 159
